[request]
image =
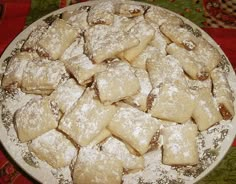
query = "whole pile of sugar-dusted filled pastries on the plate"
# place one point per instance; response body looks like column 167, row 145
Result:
column 112, row 80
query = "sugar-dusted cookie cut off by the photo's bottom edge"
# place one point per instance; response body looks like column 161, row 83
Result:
column 93, row 166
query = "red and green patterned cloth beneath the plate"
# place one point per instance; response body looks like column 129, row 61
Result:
column 217, row 17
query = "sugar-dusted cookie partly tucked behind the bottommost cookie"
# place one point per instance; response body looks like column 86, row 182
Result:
column 119, row 150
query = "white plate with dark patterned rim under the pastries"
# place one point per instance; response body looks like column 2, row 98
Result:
column 42, row 172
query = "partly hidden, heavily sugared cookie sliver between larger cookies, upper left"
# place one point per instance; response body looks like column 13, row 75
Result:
column 75, row 49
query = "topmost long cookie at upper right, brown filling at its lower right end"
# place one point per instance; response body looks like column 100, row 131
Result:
column 179, row 35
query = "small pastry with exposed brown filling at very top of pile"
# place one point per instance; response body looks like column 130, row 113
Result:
column 130, row 10
